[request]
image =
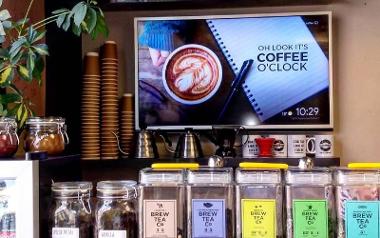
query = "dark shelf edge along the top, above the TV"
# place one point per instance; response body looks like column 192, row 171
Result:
column 197, row 4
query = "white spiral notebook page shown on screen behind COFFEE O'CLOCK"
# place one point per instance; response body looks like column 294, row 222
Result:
column 274, row 84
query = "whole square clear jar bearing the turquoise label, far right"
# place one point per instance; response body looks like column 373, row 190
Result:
column 357, row 202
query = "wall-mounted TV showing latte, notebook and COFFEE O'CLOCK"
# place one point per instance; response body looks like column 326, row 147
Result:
column 269, row 71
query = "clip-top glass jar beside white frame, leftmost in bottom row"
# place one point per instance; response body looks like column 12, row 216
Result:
column 71, row 211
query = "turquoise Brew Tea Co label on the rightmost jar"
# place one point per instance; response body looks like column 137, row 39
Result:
column 362, row 219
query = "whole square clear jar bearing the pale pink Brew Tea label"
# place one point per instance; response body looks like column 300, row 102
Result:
column 162, row 203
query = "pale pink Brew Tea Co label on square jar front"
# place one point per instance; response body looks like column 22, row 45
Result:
column 160, row 218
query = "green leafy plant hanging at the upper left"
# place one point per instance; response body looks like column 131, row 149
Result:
column 23, row 50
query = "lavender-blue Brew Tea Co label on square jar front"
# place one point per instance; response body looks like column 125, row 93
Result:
column 208, row 218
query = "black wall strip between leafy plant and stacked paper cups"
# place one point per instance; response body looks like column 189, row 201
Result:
column 63, row 74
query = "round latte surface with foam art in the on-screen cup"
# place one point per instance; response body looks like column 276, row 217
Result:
column 192, row 74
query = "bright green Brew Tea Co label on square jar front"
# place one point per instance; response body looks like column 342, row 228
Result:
column 310, row 218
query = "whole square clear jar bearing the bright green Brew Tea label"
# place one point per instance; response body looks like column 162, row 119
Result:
column 310, row 203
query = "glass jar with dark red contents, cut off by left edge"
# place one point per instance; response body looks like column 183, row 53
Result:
column 8, row 137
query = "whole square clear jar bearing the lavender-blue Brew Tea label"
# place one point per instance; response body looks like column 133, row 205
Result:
column 210, row 203
